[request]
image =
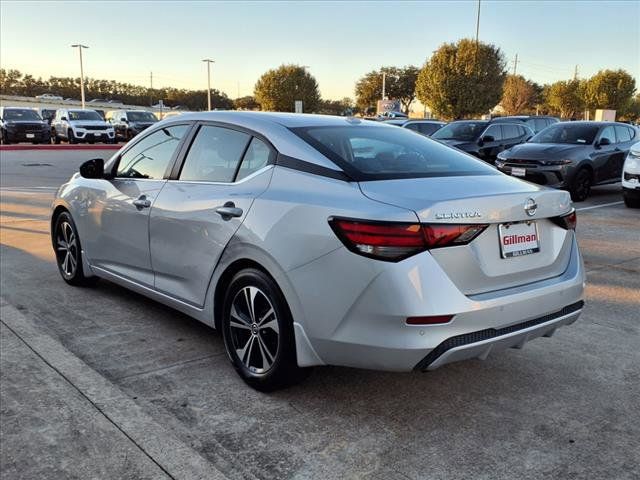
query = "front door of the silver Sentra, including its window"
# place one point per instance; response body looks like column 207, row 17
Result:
column 117, row 239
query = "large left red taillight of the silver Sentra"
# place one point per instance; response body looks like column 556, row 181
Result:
column 392, row 241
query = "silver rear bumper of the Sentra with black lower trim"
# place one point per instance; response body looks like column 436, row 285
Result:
column 371, row 332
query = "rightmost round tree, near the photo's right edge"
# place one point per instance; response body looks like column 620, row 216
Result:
column 609, row 89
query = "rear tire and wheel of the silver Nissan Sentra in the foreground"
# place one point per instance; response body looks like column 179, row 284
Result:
column 257, row 328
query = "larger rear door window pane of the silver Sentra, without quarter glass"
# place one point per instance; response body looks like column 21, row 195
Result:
column 214, row 155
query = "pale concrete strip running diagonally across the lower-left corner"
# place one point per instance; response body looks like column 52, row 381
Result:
column 172, row 455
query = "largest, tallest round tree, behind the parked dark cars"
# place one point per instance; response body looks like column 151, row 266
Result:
column 462, row 79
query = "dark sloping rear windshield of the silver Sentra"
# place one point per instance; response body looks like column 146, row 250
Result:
column 377, row 152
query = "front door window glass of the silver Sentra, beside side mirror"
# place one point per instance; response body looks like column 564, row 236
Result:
column 150, row 157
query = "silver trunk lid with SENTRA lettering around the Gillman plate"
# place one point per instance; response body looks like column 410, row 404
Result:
column 493, row 199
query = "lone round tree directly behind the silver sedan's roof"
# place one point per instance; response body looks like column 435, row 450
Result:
column 279, row 88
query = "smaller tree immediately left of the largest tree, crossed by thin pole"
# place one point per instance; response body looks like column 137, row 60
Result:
column 400, row 84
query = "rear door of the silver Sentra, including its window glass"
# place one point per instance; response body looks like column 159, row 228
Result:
column 199, row 210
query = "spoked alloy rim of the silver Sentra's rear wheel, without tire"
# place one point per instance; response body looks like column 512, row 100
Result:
column 254, row 330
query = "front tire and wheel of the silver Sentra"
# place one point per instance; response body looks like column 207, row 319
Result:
column 66, row 244
